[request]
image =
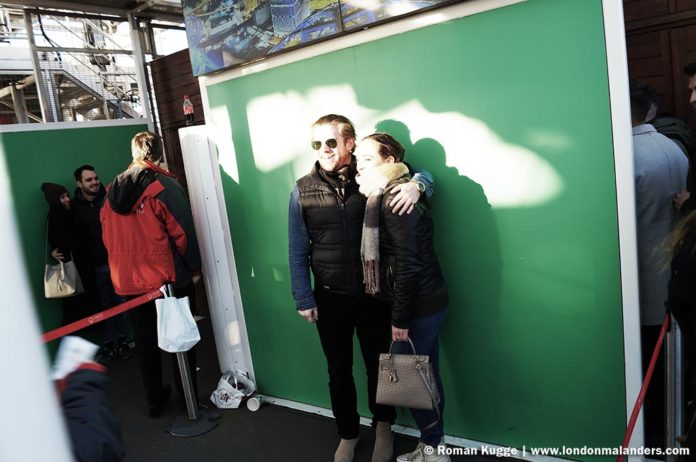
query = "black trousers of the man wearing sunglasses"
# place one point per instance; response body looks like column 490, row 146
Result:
column 340, row 316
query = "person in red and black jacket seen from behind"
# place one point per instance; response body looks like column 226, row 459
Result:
column 147, row 228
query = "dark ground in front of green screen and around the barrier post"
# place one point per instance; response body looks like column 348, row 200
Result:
column 273, row 433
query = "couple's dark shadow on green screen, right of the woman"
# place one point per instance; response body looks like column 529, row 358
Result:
column 470, row 258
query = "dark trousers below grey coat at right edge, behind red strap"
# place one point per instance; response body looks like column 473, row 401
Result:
column 654, row 407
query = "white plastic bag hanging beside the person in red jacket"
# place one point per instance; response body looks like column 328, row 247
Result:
column 176, row 329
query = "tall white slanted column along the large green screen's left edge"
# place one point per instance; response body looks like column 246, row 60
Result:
column 215, row 241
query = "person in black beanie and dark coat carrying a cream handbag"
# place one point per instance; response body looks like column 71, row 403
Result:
column 63, row 236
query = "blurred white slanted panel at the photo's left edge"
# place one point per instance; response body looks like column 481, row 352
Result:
column 32, row 425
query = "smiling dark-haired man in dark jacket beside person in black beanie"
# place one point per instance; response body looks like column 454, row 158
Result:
column 89, row 197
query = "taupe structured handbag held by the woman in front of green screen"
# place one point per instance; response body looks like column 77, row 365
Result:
column 407, row 380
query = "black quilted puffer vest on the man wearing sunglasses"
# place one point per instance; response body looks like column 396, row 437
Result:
column 335, row 231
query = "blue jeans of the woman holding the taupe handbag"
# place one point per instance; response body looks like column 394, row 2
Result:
column 425, row 335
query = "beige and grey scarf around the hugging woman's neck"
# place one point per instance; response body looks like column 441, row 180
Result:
column 372, row 183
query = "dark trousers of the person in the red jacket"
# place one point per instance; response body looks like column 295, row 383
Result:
column 150, row 356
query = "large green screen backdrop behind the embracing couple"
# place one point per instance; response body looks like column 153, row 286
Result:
column 532, row 351
